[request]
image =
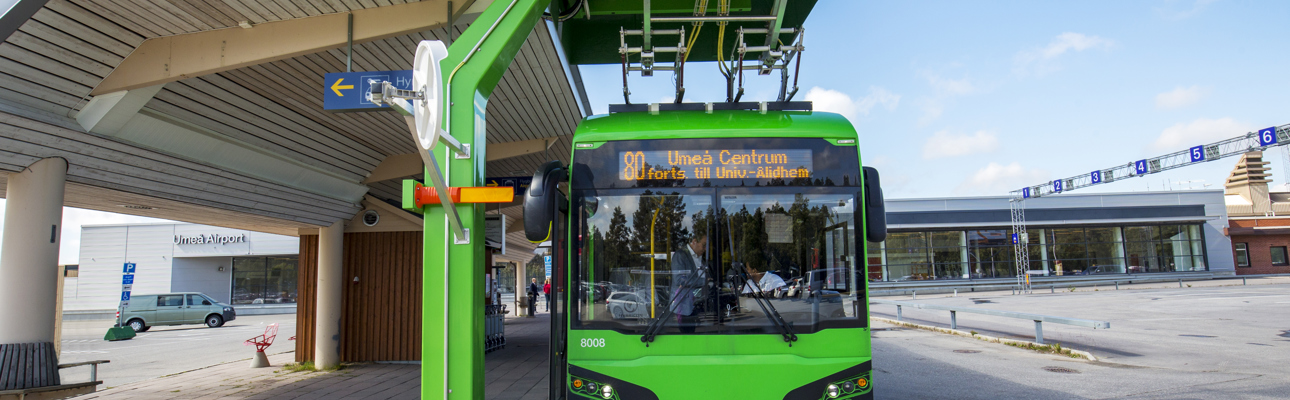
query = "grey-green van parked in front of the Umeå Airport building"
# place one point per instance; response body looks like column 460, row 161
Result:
column 176, row 309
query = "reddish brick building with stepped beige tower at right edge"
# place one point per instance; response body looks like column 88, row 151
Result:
column 1258, row 220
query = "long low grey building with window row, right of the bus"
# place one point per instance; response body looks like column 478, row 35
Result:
column 1069, row 235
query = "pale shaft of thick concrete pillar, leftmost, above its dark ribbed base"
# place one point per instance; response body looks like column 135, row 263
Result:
column 29, row 256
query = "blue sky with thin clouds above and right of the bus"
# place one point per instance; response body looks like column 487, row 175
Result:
column 980, row 99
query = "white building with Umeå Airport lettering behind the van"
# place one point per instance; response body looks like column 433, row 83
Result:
column 255, row 272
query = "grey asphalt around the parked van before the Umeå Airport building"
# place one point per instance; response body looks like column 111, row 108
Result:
column 166, row 350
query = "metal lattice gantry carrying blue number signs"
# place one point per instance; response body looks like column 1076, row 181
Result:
column 1253, row 141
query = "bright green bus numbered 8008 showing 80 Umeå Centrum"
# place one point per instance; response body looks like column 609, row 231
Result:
column 710, row 255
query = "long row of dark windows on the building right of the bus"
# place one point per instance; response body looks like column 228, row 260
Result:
column 1055, row 251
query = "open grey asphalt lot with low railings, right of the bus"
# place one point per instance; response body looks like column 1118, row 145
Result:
column 1230, row 343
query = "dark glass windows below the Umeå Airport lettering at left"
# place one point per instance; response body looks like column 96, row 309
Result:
column 265, row 281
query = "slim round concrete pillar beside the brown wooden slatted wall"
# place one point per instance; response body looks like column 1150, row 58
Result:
column 327, row 341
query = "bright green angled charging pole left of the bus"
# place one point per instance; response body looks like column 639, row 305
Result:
column 453, row 366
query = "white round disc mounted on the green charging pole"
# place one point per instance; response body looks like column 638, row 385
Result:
column 426, row 78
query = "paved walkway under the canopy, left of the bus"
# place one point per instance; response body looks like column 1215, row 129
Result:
column 517, row 372
